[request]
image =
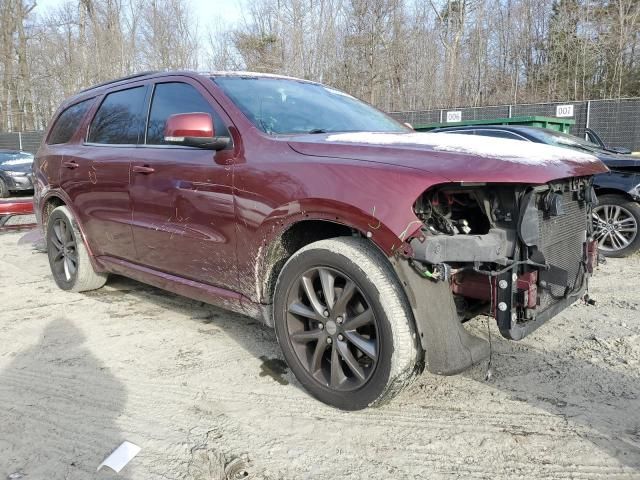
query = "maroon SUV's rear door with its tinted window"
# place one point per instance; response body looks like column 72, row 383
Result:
column 98, row 182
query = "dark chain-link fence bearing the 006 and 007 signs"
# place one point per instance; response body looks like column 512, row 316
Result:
column 617, row 122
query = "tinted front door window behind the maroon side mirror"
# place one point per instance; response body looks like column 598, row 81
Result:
column 176, row 97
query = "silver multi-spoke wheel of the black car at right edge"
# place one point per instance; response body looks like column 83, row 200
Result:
column 616, row 220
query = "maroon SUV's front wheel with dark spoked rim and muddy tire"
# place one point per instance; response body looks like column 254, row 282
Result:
column 343, row 323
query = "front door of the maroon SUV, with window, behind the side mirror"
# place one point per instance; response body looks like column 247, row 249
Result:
column 183, row 216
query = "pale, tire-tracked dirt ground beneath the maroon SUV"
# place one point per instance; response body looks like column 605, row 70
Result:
column 206, row 394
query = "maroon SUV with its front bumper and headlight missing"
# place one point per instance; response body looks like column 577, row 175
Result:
column 366, row 245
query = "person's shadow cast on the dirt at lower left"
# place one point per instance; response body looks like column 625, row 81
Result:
column 58, row 410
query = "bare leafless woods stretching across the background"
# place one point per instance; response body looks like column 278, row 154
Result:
column 396, row 54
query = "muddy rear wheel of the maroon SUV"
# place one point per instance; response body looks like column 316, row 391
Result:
column 68, row 255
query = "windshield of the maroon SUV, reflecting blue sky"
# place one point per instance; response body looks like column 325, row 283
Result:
column 284, row 106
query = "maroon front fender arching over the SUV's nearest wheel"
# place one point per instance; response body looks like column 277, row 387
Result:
column 373, row 199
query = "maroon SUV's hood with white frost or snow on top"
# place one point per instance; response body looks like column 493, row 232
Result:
column 459, row 158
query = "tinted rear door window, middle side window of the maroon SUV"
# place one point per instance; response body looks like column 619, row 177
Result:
column 119, row 120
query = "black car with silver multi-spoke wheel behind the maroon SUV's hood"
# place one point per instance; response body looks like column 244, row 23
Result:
column 617, row 217
